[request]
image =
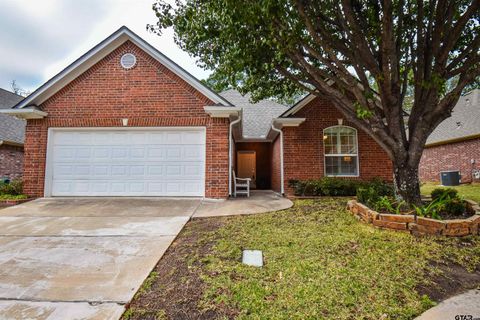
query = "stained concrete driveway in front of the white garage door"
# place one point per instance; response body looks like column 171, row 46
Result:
column 82, row 258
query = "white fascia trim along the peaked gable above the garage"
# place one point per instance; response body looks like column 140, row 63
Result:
column 100, row 51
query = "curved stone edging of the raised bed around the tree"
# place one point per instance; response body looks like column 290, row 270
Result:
column 418, row 225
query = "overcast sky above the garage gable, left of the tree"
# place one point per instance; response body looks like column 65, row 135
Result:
column 38, row 38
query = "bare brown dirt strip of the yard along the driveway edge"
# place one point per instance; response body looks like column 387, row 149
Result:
column 178, row 289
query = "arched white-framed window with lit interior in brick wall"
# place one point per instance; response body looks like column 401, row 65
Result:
column 340, row 151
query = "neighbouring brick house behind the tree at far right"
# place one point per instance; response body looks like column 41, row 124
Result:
column 455, row 143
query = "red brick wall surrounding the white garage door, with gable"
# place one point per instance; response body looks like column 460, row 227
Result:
column 148, row 95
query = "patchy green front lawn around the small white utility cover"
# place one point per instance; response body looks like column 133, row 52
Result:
column 320, row 263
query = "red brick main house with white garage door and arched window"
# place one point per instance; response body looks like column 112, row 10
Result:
column 124, row 120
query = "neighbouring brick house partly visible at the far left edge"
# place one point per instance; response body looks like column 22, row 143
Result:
column 12, row 134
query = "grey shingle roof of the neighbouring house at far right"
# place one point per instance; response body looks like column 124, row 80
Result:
column 464, row 122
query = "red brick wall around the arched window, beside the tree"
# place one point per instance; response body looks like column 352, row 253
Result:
column 303, row 146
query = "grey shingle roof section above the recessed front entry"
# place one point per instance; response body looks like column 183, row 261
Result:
column 257, row 117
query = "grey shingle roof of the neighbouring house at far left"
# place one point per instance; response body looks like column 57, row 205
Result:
column 11, row 128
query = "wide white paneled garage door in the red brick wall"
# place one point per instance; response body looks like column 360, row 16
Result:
column 115, row 162
